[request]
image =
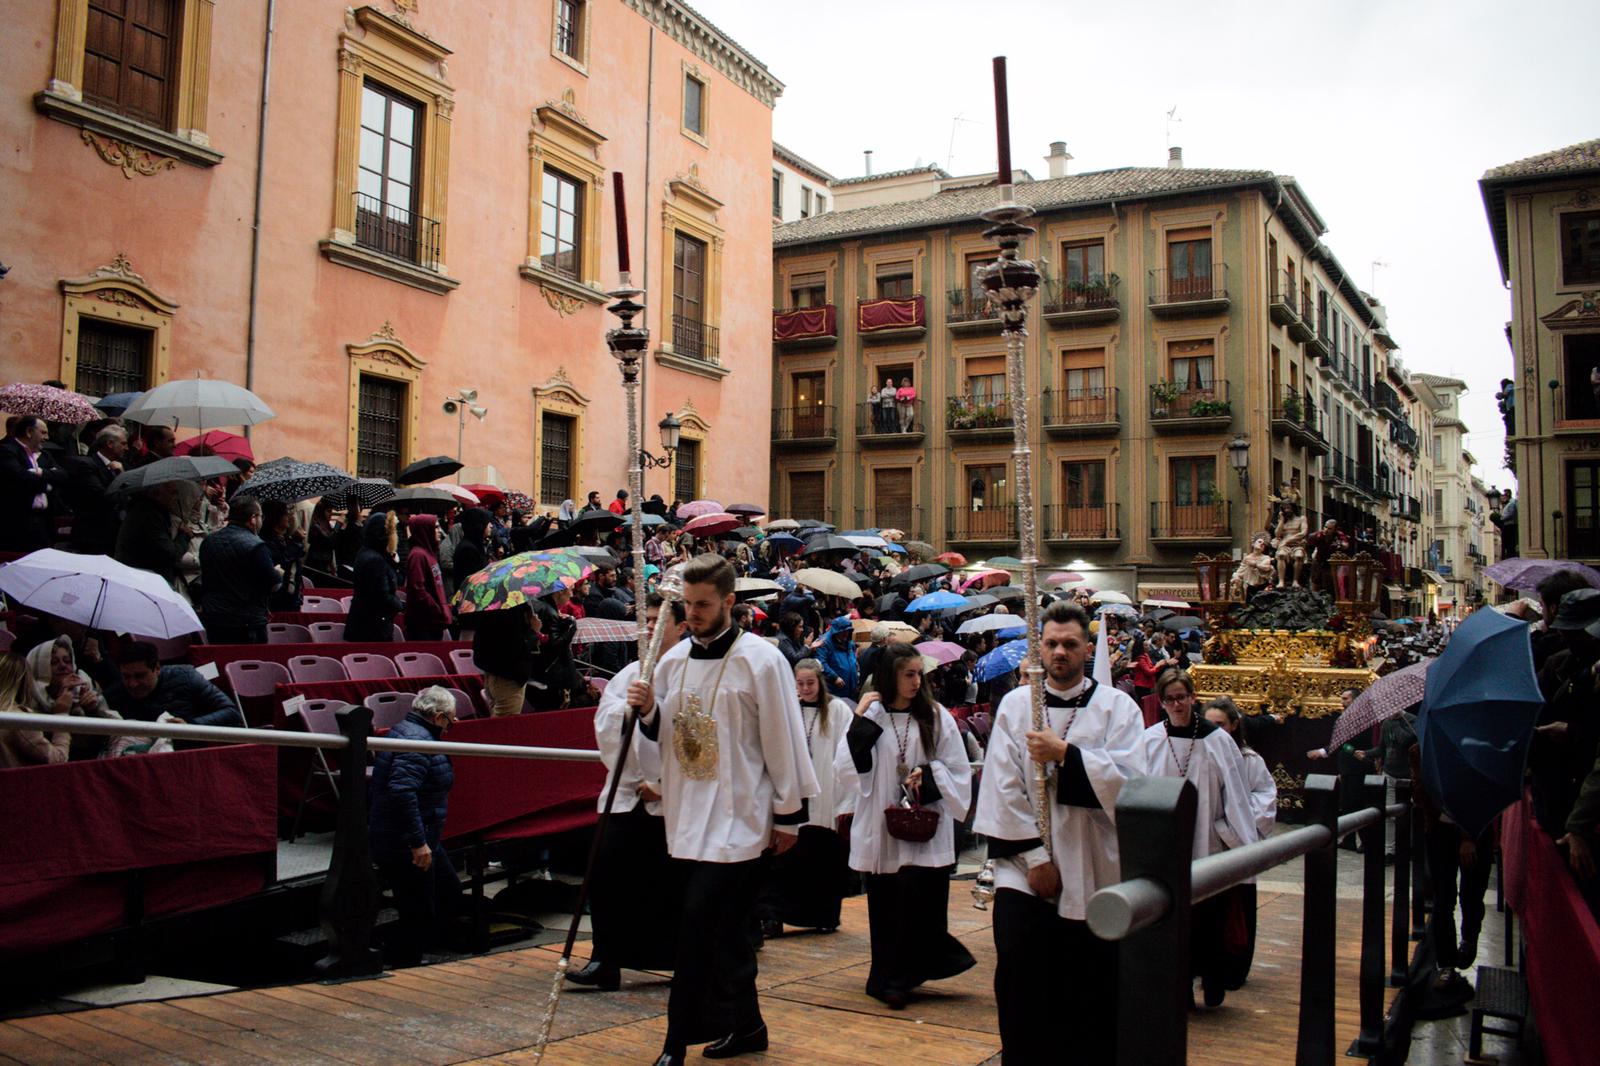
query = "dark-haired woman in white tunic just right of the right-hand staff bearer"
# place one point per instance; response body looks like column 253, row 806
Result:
column 1191, row 748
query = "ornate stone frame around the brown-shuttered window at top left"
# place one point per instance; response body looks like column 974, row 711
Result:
column 122, row 142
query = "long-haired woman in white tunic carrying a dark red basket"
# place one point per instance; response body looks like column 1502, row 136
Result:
column 903, row 745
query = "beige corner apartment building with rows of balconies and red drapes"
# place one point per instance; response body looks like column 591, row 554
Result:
column 1194, row 347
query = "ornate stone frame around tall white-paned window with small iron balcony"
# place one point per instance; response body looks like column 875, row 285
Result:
column 406, row 62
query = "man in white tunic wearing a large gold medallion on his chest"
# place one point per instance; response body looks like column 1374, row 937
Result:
column 735, row 779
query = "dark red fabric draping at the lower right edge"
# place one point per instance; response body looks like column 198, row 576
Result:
column 1562, row 940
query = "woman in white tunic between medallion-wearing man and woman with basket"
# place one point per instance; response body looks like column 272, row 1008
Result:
column 807, row 884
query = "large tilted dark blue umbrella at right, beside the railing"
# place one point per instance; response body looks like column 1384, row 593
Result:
column 1479, row 708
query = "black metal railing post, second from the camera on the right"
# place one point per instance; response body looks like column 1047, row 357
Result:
column 1314, row 1046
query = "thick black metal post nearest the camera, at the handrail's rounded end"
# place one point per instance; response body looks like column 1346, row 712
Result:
column 1156, row 832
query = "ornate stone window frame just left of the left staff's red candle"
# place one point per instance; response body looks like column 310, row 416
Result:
column 562, row 140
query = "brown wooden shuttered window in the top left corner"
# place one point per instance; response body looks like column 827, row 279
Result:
column 130, row 58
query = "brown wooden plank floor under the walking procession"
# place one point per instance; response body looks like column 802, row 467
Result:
column 487, row 1011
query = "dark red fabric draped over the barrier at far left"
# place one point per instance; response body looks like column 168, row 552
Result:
column 199, row 825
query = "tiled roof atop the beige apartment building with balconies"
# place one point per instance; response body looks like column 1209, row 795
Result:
column 964, row 206
